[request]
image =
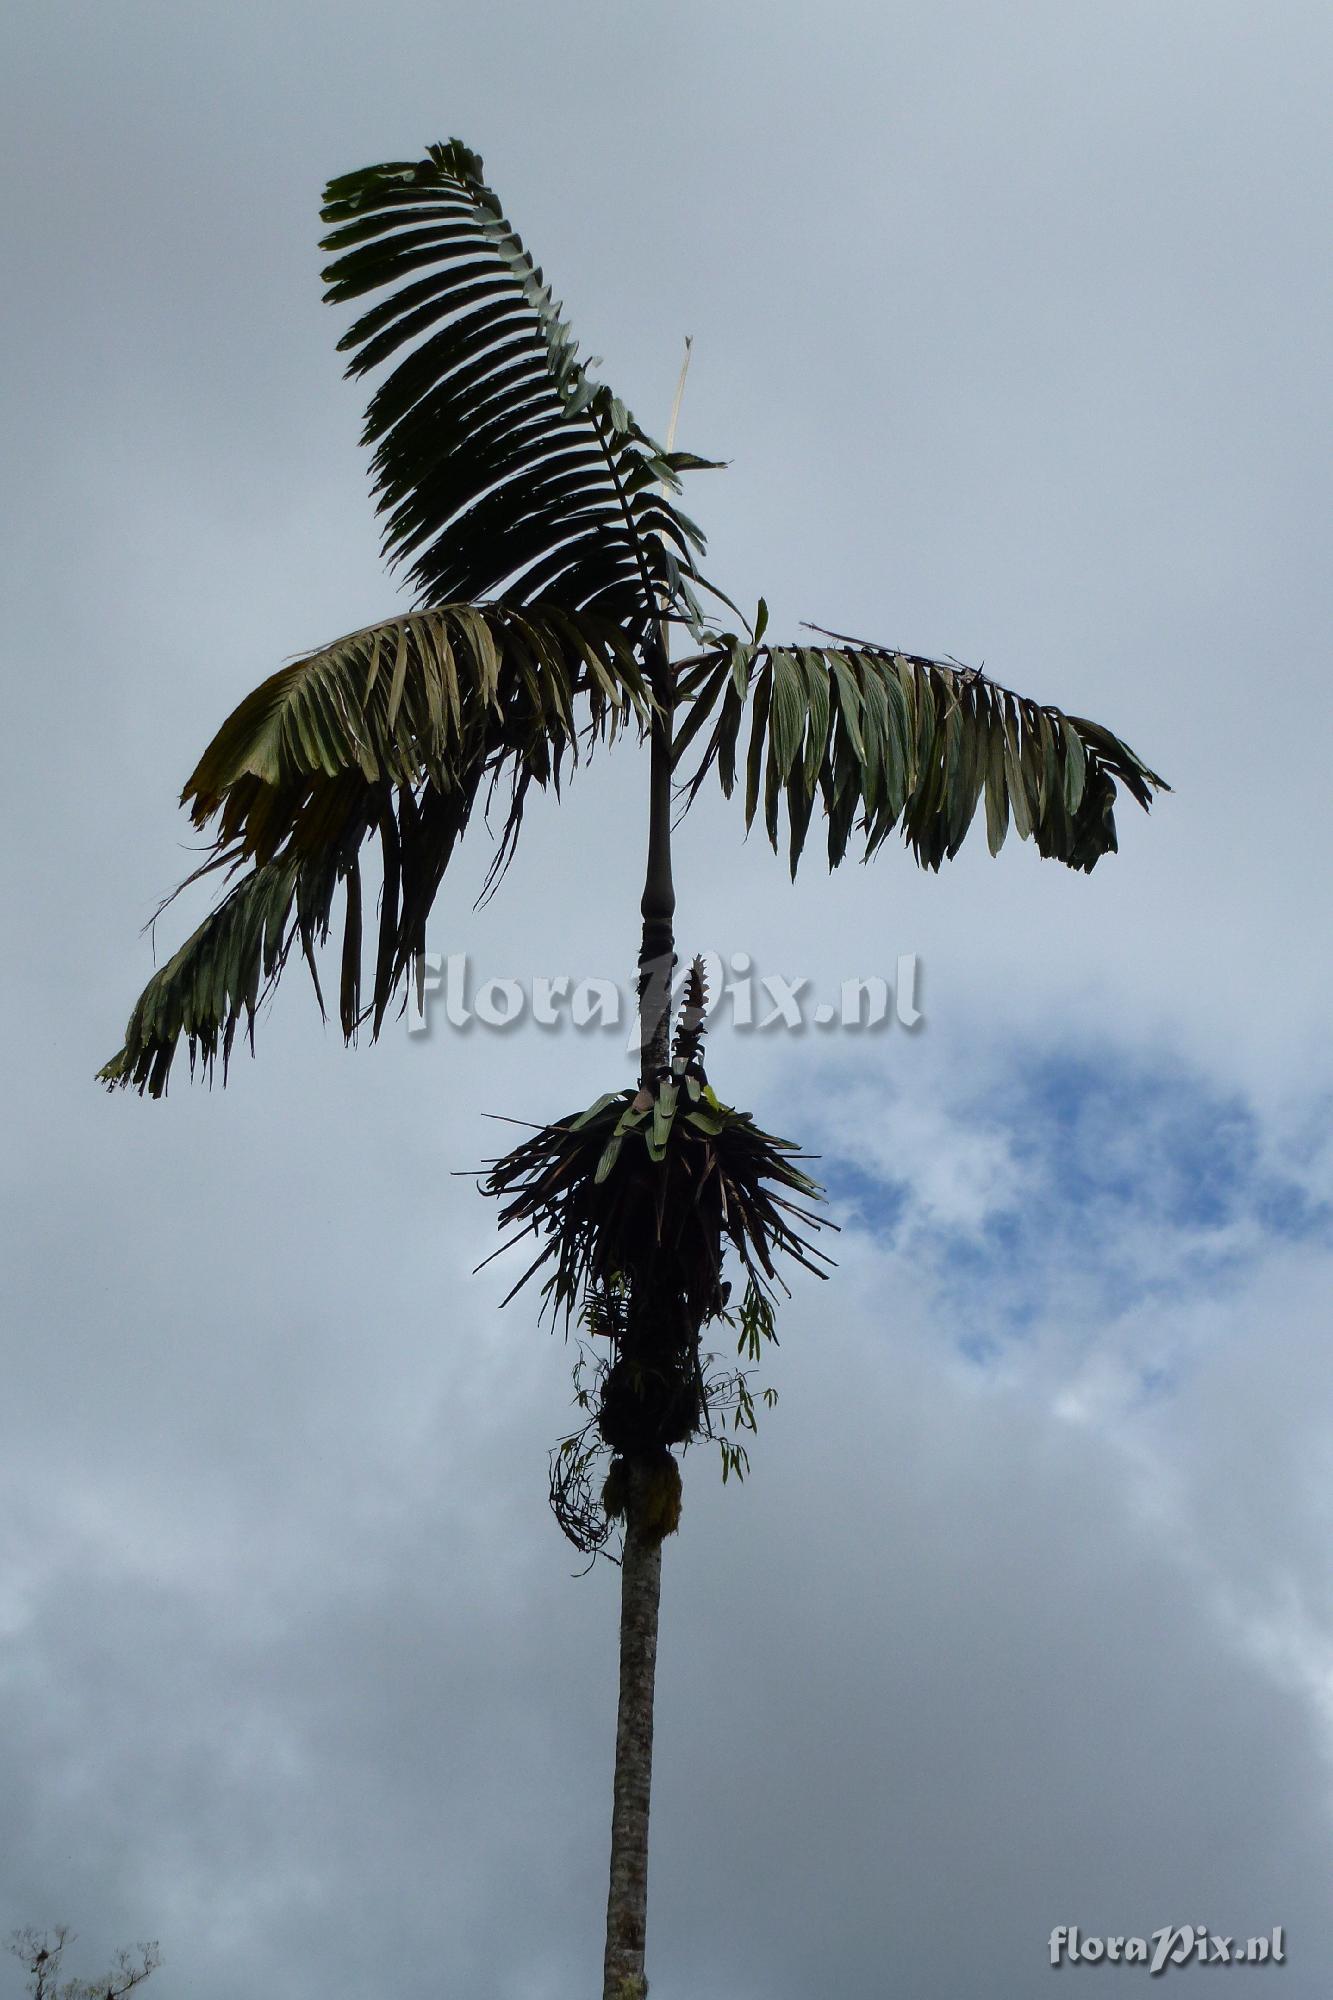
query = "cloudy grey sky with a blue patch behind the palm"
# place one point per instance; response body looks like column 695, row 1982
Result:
column 1012, row 327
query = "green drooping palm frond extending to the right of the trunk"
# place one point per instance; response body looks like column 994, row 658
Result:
column 894, row 741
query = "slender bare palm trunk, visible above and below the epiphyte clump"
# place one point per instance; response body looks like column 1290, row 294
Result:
column 641, row 1563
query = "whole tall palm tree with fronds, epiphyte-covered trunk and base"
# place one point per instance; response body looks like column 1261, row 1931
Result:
column 551, row 563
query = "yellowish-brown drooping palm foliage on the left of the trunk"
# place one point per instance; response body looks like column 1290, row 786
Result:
column 387, row 735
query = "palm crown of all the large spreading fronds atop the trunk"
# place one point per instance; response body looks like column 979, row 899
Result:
column 541, row 531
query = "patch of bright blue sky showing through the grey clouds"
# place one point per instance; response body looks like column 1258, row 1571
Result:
column 1134, row 1179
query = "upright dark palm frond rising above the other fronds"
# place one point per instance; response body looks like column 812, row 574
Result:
column 501, row 467
